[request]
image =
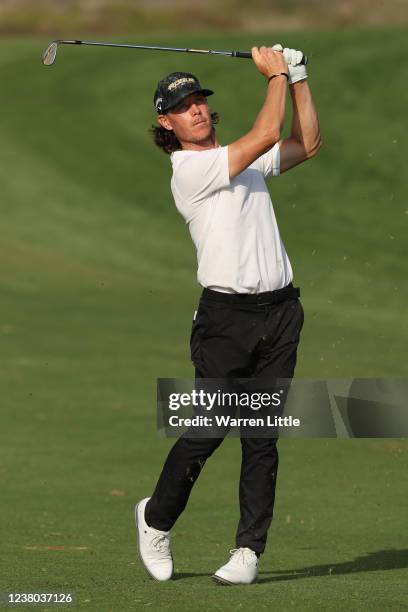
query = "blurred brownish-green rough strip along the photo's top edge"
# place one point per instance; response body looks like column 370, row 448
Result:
column 107, row 16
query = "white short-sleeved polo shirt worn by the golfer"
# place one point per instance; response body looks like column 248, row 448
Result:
column 231, row 221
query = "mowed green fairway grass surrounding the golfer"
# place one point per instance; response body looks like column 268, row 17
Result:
column 97, row 294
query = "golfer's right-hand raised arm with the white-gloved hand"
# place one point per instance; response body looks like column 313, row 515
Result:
column 304, row 141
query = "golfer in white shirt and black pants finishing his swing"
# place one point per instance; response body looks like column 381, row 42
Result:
column 249, row 317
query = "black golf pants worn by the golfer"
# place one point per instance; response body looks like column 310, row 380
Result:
column 234, row 336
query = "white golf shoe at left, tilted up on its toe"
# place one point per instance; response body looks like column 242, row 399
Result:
column 154, row 546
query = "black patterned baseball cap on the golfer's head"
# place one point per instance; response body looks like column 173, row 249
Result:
column 174, row 88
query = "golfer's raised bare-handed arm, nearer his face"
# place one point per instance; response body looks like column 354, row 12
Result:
column 266, row 130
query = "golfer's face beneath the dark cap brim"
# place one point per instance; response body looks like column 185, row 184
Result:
column 190, row 120
